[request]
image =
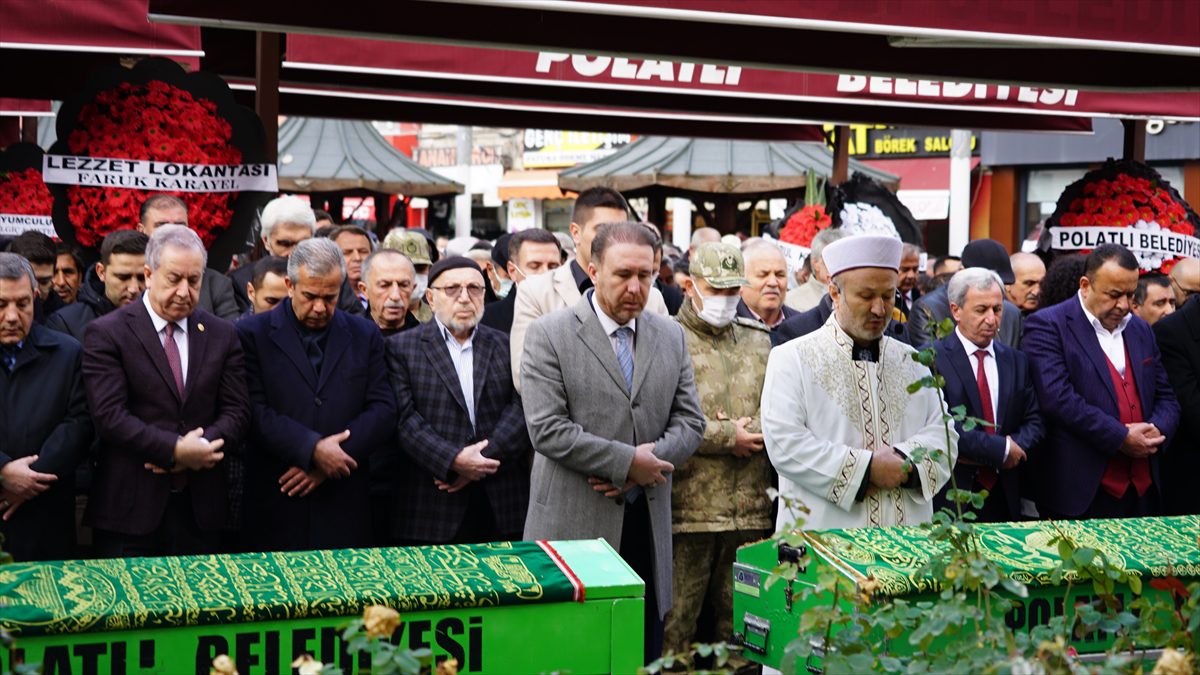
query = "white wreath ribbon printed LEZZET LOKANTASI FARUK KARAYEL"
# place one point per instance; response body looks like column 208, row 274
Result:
column 151, row 175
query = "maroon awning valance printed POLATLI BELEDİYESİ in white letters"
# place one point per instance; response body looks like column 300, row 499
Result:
column 1049, row 109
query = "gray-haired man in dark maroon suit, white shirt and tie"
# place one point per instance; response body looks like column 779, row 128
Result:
column 167, row 392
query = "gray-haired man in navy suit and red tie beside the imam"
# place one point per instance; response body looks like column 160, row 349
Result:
column 992, row 380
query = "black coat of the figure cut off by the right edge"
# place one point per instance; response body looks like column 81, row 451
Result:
column 1179, row 342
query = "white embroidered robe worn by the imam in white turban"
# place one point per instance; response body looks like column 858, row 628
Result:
column 824, row 414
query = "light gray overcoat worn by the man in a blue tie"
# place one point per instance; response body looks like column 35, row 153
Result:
column 584, row 422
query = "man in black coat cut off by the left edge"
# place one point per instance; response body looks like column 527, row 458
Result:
column 45, row 429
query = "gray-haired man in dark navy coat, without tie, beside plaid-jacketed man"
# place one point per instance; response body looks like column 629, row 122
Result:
column 322, row 405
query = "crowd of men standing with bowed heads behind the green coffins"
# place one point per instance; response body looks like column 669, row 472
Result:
column 343, row 392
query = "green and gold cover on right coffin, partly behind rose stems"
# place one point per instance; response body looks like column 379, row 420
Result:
column 895, row 557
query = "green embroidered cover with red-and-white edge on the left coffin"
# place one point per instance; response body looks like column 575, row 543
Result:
column 160, row 593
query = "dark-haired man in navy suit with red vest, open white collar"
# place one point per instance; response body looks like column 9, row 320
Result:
column 1105, row 397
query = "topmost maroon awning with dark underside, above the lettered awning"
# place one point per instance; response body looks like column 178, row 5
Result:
column 1142, row 45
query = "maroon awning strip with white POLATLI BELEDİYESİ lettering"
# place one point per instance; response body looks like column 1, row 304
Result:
column 831, row 98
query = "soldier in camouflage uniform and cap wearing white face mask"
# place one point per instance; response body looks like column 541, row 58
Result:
column 719, row 500
